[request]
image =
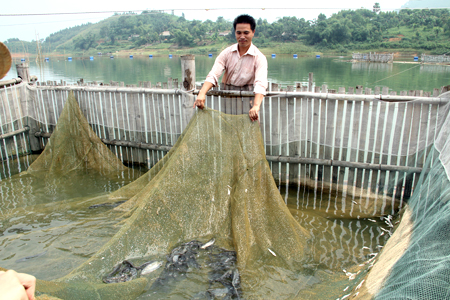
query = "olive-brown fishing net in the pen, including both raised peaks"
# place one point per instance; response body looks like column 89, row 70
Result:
column 215, row 183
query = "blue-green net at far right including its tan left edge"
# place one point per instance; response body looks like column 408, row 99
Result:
column 414, row 263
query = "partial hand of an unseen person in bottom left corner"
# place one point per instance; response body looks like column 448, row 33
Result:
column 16, row 286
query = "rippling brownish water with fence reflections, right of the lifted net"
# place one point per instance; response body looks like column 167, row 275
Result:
column 341, row 238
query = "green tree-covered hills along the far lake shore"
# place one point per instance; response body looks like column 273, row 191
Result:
column 349, row 30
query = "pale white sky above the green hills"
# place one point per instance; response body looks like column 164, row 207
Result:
column 31, row 20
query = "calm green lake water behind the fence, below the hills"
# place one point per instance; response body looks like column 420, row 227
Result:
column 283, row 69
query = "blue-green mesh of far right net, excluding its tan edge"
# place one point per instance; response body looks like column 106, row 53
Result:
column 423, row 271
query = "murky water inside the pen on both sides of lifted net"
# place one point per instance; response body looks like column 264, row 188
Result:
column 47, row 229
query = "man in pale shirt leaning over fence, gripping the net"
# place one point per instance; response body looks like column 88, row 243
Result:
column 243, row 63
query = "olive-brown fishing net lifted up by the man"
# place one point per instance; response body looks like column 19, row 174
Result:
column 214, row 183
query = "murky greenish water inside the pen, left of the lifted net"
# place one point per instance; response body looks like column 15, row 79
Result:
column 47, row 228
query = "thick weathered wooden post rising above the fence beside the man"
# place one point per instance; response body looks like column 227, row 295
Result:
column 188, row 83
